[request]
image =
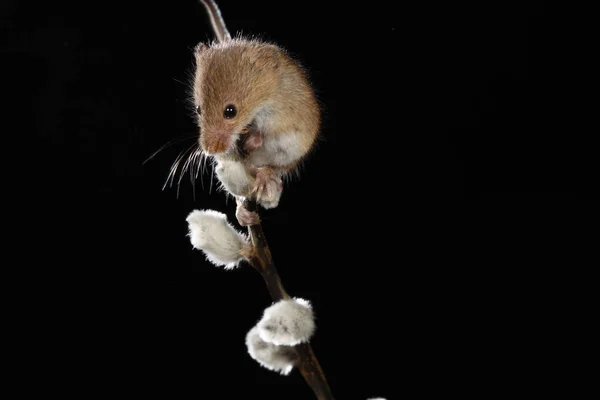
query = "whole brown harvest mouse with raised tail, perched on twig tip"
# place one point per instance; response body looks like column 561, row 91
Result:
column 257, row 113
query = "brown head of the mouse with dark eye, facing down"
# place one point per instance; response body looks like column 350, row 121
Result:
column 234, row 81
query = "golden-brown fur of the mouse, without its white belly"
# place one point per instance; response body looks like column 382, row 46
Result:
column 248, row 74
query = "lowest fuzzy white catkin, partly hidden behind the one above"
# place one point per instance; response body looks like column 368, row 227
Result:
column 276, row 358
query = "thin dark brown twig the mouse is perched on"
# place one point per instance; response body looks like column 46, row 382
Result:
column 262, row 261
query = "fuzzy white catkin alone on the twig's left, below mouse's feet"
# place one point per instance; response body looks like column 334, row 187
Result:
column 210, row 232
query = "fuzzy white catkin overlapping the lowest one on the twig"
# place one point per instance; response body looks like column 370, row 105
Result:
column 287, row 323
